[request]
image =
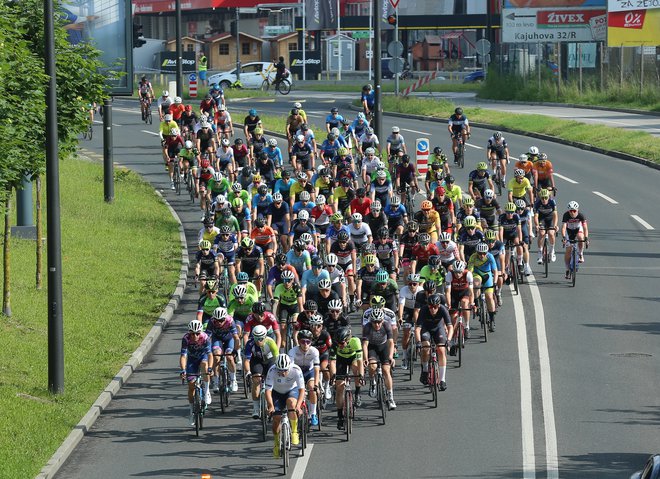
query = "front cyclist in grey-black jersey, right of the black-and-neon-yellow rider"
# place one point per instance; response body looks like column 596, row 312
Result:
column 378, row 347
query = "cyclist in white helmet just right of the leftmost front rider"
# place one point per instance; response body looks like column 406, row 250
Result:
column 224, row 336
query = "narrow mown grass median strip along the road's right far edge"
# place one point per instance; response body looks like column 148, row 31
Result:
column 636, row 143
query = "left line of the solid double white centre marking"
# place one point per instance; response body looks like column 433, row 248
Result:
column 526, row 416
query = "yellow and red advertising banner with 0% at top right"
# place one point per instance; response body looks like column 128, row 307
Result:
column 633, row 28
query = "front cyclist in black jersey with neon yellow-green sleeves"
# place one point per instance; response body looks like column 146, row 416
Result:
column 345, row 359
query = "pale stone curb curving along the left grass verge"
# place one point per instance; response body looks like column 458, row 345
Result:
column 58, row 459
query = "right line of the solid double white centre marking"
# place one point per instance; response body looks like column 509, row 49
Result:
column 552, row 463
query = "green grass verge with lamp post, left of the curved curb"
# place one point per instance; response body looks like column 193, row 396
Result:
column 120, row 264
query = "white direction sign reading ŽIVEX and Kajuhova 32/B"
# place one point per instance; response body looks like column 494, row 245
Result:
column 533, row 25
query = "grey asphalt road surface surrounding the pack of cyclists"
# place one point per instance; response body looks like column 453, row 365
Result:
column 567, row 386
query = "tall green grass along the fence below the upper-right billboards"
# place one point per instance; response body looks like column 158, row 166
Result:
column 516, row 88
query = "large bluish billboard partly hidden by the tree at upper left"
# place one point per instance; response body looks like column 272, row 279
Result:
column 107, row 25
